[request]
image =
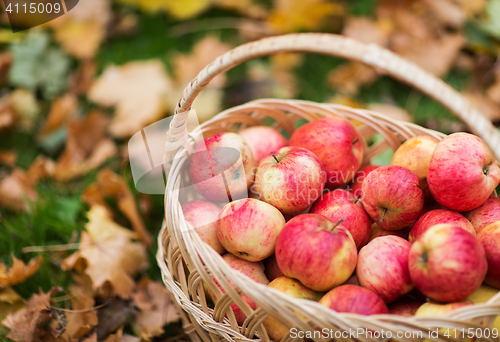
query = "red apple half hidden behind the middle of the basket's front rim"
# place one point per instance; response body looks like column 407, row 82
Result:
column 354, row 299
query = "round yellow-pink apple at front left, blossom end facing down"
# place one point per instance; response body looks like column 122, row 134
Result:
column 249, row 228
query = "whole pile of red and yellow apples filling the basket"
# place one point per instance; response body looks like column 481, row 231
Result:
column 419, row 236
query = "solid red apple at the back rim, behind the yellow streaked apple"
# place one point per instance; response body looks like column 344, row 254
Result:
column 336, row 143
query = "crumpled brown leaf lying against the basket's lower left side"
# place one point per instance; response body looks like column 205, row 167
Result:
column 156, row 309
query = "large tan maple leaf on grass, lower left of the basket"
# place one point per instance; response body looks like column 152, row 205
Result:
column 108, row 254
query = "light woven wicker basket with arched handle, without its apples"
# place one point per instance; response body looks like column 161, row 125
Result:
column 187, row 263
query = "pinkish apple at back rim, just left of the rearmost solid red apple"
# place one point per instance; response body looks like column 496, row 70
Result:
column 262, row 140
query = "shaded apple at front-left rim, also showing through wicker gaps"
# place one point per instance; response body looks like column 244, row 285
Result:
column 253, row 270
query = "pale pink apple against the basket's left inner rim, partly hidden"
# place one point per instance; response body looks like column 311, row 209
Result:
column 204, row 217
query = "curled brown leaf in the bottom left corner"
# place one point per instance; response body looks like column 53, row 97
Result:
column 27, row 324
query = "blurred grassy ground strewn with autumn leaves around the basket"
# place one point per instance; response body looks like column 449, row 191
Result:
column 77, row 240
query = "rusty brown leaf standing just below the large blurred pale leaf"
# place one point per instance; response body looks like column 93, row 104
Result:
column 87, row 147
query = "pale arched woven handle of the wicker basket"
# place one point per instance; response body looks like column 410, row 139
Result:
column 334, row 45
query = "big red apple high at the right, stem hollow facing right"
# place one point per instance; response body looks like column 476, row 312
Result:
column 462, row 172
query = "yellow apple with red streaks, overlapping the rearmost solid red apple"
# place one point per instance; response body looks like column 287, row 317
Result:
column 290, row 179
